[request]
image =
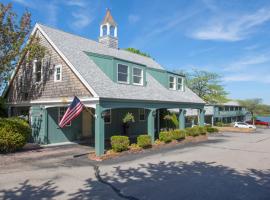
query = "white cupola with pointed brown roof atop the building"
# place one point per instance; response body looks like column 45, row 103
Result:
column 108, row 31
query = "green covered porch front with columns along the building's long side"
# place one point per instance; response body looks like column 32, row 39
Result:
column 150, row 126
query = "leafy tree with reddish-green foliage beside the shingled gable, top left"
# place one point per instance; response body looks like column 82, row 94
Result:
column 14, row 33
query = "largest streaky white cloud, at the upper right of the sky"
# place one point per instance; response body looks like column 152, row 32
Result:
column 228, row 28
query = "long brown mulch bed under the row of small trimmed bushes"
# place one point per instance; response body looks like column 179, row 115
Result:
column 111, row 154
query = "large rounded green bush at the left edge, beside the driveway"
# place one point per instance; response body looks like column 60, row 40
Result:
column 14, row 133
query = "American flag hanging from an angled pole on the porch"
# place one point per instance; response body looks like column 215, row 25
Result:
column 75, row 108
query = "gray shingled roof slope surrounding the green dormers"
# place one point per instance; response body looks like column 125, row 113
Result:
column 73, row 47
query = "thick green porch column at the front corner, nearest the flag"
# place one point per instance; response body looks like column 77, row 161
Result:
column 99, row 131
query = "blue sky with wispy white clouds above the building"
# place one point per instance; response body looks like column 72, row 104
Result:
column 228, row 37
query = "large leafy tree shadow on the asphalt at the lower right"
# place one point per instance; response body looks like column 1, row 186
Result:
column 179, row 180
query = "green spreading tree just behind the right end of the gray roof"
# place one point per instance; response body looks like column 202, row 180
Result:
column 207, row 85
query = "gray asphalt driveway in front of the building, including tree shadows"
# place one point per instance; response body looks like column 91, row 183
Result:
column 228, row 166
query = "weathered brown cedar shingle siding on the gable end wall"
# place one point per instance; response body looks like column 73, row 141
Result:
column 24, row 88
